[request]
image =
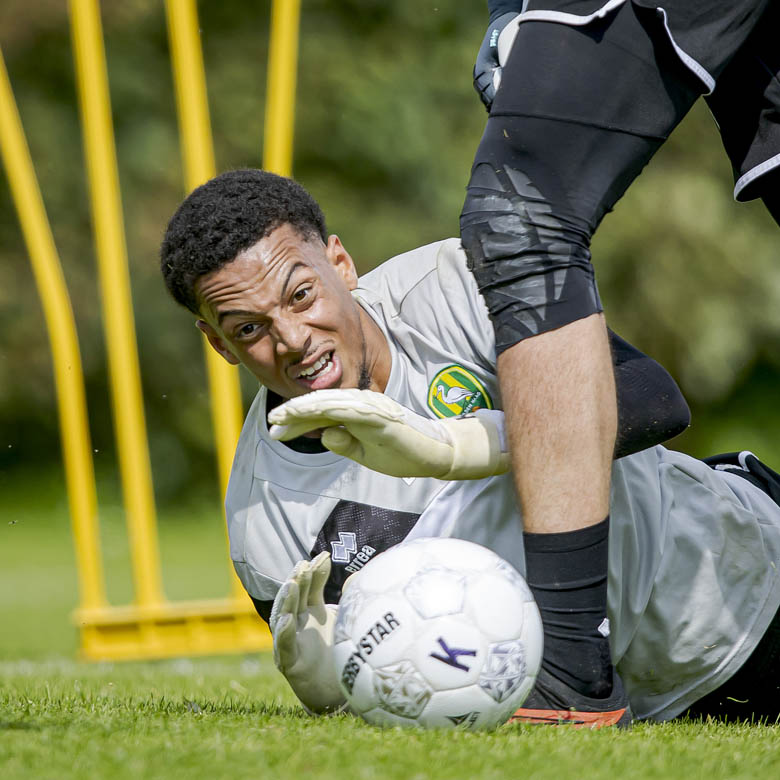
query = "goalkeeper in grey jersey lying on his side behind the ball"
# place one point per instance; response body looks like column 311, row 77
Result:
column 398, row 356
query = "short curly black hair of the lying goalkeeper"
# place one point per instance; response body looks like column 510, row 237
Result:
column 227, row 215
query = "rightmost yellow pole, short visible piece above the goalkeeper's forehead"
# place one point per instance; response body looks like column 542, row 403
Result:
column 280, row 100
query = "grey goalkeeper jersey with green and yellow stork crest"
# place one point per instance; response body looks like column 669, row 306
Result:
column 693, row 553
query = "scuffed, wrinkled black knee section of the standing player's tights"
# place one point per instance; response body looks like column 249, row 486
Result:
column 531, row 265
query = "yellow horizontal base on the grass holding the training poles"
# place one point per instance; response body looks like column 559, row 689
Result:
column 168, row 630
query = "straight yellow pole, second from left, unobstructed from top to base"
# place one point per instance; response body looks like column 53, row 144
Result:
column 99, row 150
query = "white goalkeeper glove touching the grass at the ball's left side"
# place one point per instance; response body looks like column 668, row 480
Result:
column 302, row 627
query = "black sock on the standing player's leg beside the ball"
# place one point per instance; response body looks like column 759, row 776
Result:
column 567, row 573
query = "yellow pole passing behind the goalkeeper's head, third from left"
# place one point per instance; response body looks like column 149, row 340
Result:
column 198, row 158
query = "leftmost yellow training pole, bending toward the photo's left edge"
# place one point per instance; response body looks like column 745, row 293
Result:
column 68, row 376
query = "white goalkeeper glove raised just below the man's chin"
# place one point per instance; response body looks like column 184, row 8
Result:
column 379, row 433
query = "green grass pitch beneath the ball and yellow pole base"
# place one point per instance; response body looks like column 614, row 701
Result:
column 234, row 717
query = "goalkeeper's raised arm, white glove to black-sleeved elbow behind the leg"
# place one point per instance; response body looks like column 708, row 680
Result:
column 379, row 433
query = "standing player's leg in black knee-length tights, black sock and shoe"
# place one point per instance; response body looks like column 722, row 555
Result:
column 563, row 142
